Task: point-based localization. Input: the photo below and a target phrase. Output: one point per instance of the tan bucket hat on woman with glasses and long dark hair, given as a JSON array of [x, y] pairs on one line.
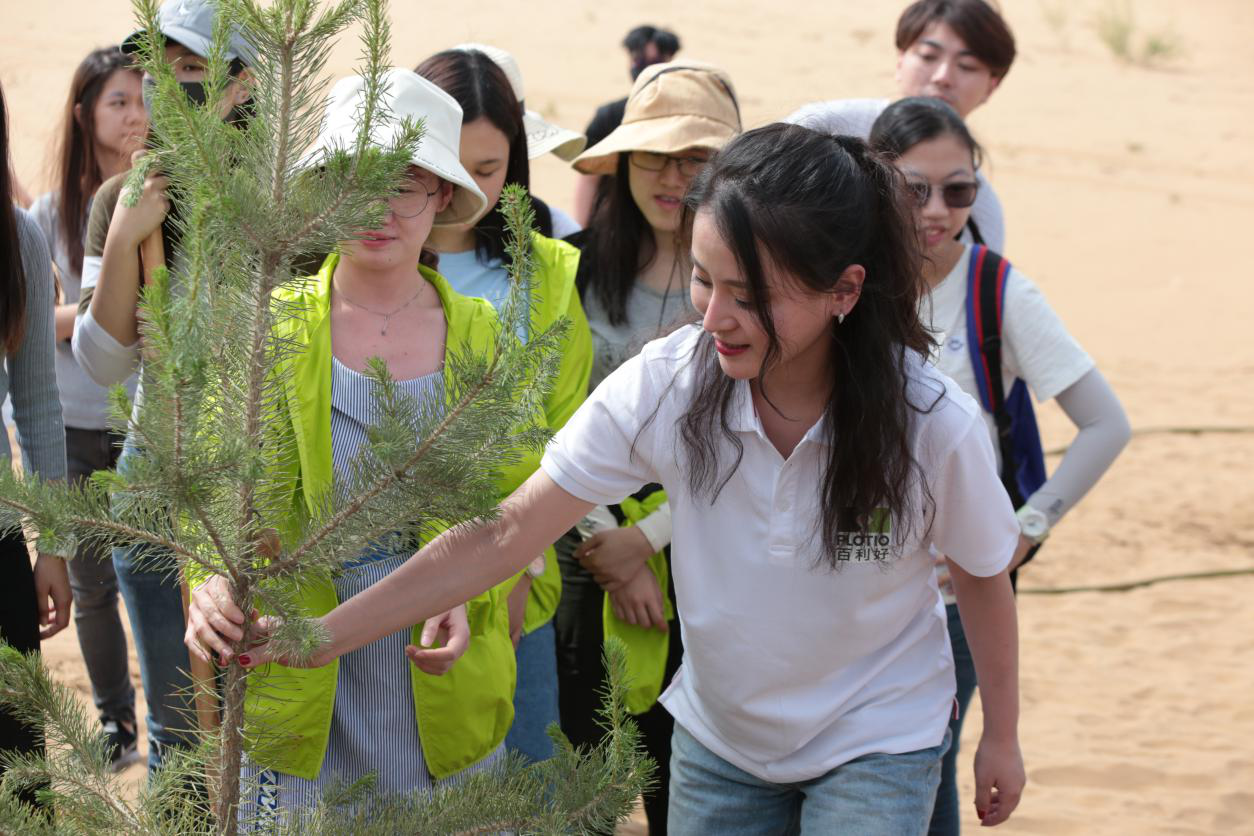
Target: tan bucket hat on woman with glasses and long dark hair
[[673, 107]]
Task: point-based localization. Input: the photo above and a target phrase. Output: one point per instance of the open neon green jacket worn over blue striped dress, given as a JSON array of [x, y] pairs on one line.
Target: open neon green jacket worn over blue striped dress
[[463, 715]]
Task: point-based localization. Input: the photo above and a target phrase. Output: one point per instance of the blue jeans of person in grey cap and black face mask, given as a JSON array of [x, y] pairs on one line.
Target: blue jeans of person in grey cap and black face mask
[[150, 587]]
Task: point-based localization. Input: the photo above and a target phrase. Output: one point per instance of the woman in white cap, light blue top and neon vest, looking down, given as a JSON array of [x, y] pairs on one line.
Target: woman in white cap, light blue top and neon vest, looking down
[[496, 147]]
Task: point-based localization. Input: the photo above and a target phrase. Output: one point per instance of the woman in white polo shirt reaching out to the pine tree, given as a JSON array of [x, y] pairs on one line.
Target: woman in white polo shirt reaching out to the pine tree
[[812, 458]]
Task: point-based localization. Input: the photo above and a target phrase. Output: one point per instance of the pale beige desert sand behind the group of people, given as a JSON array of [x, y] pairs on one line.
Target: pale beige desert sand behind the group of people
[[1129, 195]]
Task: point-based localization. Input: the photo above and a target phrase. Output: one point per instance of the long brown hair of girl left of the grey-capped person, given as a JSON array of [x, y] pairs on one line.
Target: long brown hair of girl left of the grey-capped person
[[78, 172]]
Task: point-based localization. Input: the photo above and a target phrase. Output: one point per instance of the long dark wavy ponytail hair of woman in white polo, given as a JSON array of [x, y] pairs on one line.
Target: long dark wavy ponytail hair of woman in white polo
[[809, 206]]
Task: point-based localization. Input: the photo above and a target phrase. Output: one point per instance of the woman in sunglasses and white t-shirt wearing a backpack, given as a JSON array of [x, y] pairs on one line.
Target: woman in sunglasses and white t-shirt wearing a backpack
[[940, 160]]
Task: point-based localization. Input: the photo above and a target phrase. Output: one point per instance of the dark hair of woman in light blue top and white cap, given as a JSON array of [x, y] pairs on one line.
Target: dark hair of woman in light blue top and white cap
[[483, 91]]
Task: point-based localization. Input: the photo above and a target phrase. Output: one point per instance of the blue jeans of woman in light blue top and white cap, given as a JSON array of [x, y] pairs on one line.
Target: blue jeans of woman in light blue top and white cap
[[535, 695]]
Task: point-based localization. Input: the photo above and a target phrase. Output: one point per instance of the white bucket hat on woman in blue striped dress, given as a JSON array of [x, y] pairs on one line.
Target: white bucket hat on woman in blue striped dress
[[406, 95]]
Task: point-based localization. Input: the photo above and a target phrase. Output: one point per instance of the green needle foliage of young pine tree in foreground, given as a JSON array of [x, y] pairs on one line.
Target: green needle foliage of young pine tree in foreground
[[210, 486]]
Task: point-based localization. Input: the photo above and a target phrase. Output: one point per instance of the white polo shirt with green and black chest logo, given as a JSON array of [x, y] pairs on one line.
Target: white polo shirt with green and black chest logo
[[792, 669]]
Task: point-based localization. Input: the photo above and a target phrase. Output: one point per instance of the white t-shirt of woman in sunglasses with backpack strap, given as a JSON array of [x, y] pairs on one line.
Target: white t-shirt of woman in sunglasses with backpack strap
[[1036, 347]]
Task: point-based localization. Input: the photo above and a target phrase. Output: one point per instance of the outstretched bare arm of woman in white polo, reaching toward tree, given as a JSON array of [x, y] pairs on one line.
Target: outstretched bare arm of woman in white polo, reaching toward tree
[[457, 566]]
